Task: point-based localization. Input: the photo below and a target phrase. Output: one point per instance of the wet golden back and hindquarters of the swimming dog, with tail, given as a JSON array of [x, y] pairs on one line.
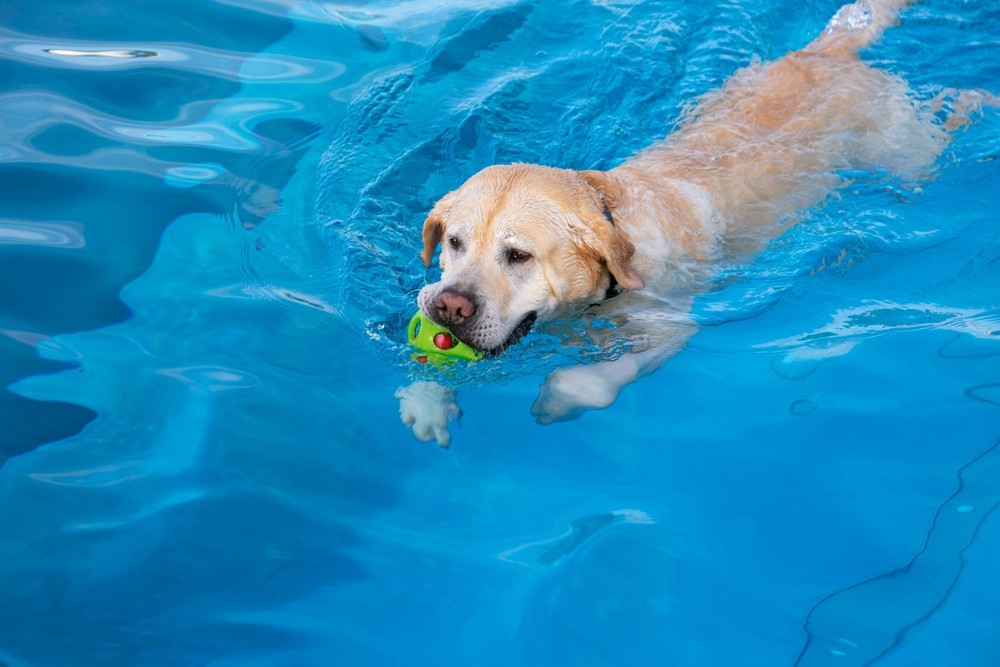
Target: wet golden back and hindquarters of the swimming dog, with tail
[[770, 143]]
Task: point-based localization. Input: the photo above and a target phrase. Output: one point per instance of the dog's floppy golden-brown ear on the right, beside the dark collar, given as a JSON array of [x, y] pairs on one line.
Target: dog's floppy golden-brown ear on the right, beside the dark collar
[[609, 242]]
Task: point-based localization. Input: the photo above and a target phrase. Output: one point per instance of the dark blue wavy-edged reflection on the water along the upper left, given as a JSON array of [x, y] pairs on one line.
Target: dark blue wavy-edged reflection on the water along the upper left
[[88, 88]]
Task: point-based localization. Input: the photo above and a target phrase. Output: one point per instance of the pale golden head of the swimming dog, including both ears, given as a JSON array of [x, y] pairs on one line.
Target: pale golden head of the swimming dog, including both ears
[[519, 242]]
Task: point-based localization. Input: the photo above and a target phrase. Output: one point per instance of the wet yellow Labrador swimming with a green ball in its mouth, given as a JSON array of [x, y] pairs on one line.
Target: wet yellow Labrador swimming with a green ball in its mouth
[[526, 243]]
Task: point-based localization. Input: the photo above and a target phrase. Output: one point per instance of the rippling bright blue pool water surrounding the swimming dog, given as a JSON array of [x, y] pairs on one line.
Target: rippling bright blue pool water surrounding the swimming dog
[[208, 250]]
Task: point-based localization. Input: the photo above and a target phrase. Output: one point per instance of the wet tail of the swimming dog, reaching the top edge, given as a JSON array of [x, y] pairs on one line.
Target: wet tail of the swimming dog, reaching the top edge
[[856, 26]]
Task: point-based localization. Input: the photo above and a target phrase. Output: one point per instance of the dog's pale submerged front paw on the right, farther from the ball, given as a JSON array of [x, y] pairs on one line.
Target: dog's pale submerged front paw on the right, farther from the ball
[[567, 393]]
